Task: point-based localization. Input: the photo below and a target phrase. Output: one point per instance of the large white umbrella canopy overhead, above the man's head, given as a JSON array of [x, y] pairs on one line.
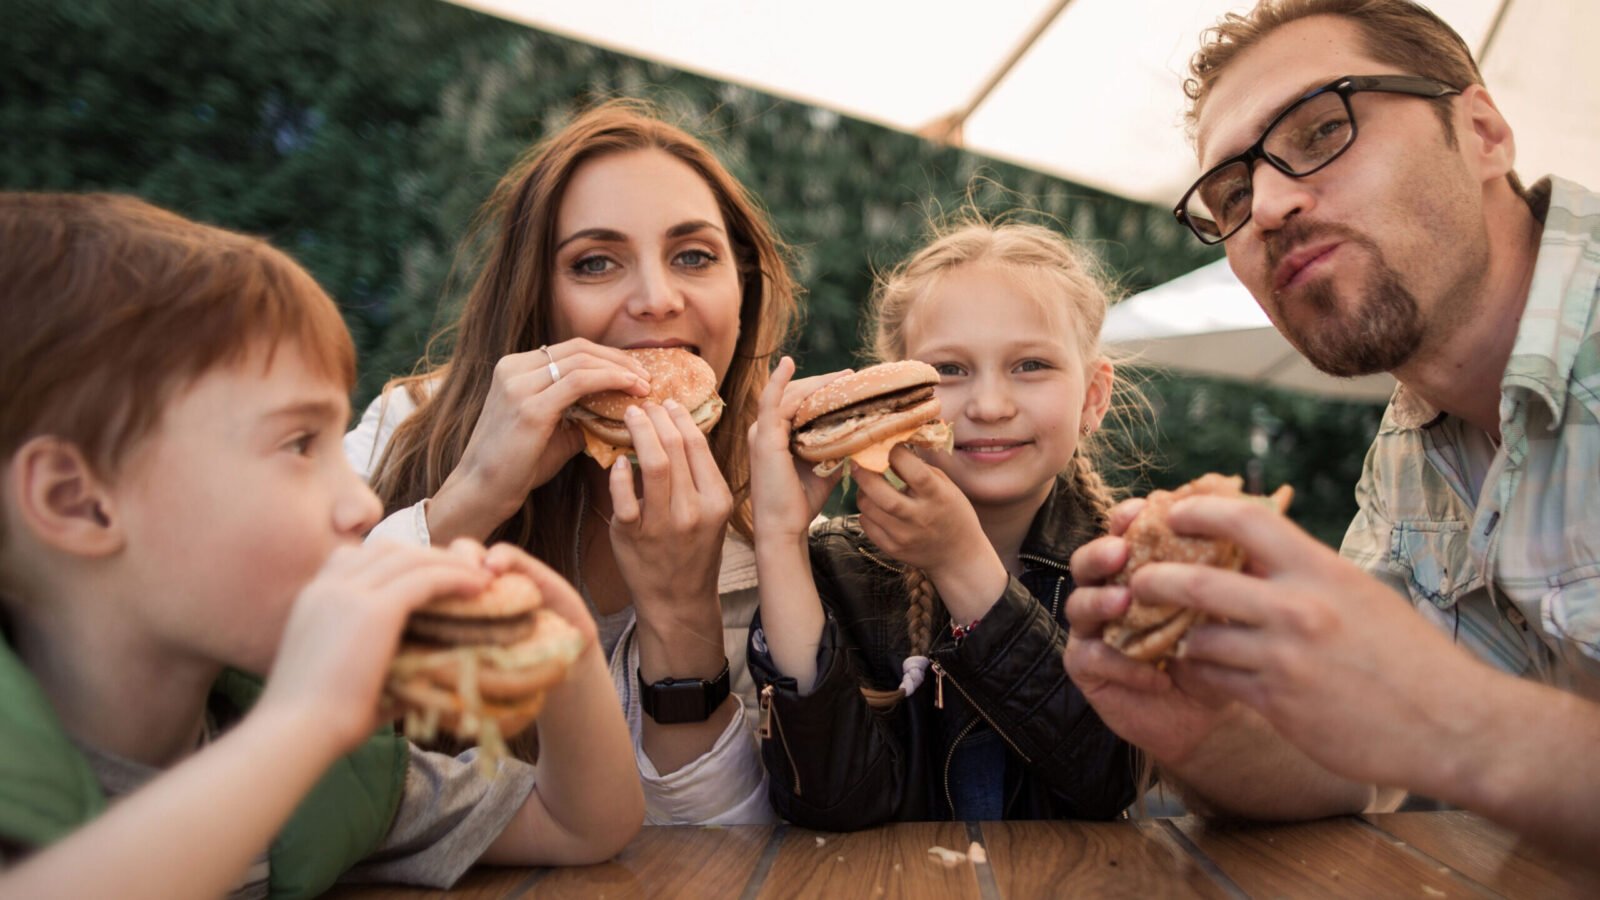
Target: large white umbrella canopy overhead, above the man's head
[[1082, 89]]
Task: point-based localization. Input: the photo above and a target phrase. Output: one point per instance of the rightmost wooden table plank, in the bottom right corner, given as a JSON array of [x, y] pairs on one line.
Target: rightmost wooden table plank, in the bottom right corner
[[1489, 854]]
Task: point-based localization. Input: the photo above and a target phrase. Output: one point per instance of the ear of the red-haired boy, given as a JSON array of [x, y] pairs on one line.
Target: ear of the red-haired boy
[[62, 500]]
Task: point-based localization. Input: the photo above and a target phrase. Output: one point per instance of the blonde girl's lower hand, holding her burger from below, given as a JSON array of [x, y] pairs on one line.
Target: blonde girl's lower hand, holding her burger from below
[[932, 526]]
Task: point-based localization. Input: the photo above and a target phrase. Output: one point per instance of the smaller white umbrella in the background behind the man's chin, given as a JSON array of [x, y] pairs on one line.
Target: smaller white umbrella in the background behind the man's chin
[[1209, 324]]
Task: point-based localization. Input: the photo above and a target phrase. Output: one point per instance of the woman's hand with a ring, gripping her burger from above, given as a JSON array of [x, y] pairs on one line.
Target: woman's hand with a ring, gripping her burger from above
[[522, 438]]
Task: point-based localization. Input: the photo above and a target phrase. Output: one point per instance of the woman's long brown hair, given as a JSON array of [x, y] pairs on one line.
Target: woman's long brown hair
[[510, 305]]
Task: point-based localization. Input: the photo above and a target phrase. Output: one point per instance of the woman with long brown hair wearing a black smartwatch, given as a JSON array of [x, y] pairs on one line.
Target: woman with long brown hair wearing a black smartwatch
[[620, 231]]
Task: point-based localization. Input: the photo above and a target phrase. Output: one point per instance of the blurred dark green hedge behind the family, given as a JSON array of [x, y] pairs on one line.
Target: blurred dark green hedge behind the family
[[362, 139]]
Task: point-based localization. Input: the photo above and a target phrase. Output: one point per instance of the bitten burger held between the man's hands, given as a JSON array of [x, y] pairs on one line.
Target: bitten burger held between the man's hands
[[1151, 632]]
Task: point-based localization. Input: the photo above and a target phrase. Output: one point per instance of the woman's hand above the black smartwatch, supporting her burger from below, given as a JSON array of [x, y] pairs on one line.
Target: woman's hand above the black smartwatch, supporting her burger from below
[[668, 537]]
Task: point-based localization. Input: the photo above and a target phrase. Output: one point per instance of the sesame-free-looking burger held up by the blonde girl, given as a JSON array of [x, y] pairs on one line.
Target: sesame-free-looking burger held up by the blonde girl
[[863, 416]]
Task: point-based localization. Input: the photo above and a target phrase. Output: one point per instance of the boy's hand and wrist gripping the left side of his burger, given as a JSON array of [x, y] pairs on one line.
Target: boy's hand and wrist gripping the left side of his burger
[[345, 630]]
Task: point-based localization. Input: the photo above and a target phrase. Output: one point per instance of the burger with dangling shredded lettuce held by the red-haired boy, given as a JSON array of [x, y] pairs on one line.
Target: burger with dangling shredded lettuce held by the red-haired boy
[[479, 667]]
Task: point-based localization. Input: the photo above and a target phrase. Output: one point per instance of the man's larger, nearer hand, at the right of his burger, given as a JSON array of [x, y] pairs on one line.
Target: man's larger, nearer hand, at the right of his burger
[[1340, 665]]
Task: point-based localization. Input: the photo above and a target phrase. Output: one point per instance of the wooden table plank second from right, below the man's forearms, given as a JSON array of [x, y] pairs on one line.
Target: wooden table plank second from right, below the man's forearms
[[1334, 858]]
